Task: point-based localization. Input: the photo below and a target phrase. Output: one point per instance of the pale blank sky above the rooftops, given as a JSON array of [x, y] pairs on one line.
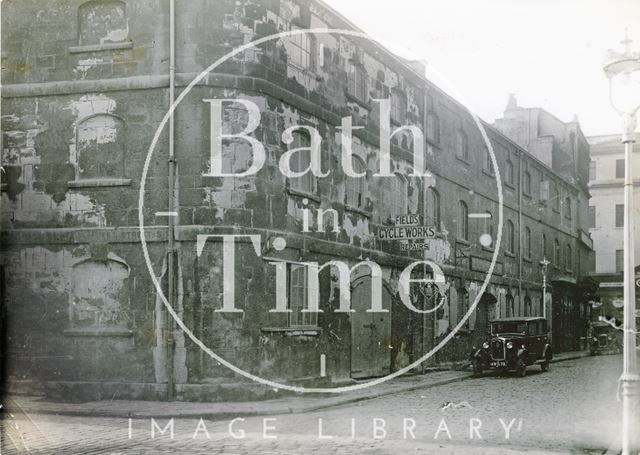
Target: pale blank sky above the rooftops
[[549, 53]]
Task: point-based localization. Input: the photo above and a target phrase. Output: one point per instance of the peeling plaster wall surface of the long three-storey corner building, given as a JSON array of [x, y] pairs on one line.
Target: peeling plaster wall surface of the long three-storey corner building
[[53, 87]]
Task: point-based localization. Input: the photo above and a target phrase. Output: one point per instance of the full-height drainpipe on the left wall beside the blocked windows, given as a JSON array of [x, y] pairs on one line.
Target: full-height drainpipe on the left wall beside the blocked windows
[[171, 219]]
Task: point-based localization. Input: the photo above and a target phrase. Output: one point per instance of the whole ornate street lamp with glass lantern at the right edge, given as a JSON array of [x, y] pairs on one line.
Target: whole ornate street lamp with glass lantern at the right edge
[[623, 71]]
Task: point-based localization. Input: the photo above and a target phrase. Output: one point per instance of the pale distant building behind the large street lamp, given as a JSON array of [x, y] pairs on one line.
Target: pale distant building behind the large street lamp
[[606, 218]]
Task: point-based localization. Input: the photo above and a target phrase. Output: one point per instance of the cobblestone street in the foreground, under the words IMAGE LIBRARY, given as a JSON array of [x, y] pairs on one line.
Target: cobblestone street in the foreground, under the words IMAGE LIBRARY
[[570, 409]]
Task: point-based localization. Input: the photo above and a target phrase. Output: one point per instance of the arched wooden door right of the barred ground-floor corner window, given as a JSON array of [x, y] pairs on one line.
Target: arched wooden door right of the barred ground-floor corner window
[[370, 333]]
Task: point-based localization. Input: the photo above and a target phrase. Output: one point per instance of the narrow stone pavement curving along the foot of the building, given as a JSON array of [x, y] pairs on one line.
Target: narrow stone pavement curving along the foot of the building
[[219, 411]]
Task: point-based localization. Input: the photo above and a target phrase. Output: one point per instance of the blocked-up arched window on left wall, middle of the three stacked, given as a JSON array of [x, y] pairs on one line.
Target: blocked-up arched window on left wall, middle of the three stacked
[[100, 148]]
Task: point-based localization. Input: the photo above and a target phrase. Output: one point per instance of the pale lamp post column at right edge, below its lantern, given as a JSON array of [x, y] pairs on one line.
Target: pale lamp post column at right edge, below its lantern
[[629, 380]]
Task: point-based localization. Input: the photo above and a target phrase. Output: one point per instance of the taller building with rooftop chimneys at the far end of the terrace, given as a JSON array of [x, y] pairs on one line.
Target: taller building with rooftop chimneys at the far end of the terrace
[[562, 147]]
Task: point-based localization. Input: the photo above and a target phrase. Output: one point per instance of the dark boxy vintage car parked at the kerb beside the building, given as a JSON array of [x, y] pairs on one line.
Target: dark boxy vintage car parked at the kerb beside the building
[[514, 344]]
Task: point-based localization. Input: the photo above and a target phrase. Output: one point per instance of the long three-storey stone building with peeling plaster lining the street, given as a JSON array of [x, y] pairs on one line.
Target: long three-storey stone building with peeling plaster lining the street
[[85, 87]]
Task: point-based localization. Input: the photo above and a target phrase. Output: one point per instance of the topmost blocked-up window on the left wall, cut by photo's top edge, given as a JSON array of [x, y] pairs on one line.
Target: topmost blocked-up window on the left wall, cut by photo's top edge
[[102, 22]]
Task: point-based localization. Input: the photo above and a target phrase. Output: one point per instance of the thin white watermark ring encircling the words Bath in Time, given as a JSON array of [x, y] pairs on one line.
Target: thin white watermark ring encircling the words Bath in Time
[[196, 340]]
